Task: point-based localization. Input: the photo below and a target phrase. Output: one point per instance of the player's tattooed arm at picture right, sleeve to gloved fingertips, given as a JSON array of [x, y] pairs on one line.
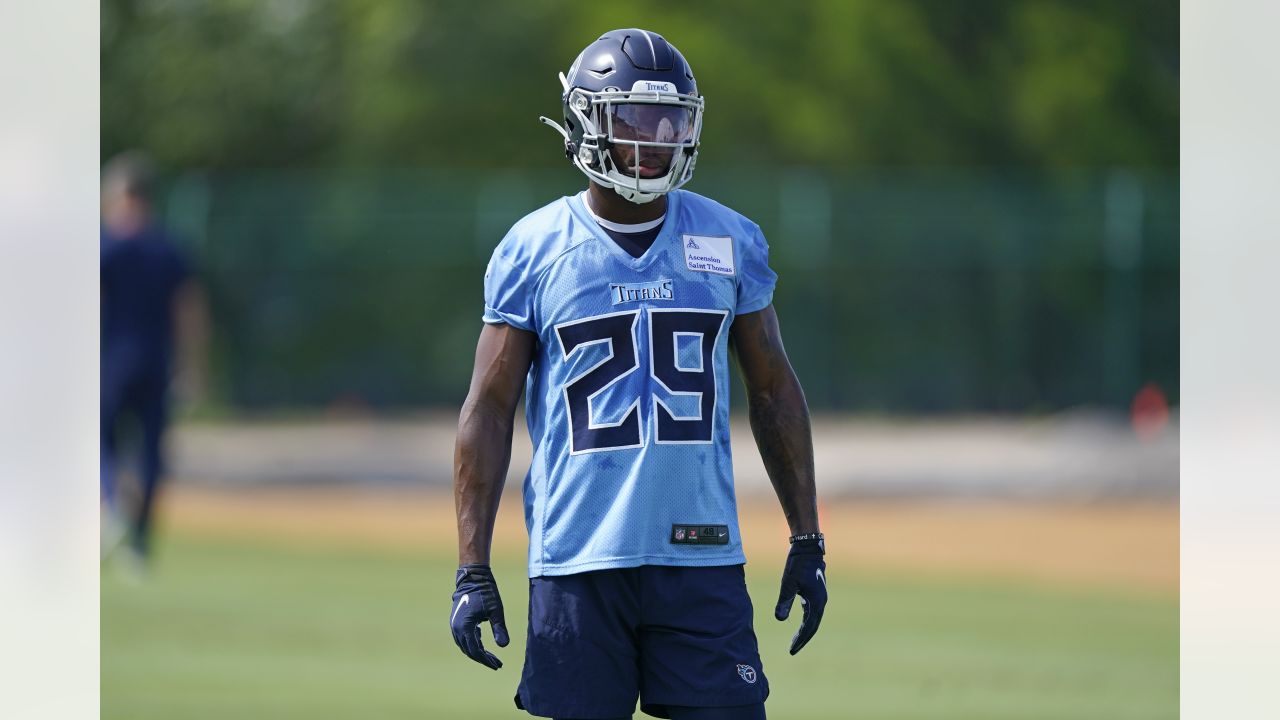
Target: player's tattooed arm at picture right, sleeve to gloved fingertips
[[780, 422]]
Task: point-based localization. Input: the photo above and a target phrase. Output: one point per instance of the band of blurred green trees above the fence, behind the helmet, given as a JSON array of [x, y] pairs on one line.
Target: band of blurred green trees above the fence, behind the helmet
[[838, 84]]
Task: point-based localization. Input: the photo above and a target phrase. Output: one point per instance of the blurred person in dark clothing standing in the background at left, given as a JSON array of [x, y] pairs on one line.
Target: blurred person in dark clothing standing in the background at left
[[145, 294]]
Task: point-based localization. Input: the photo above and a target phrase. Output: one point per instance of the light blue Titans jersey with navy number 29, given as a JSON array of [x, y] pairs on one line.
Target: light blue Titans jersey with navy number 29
[[628, 397]]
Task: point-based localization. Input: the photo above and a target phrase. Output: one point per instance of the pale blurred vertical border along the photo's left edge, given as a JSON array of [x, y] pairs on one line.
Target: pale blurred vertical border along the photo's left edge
[[49, 385]]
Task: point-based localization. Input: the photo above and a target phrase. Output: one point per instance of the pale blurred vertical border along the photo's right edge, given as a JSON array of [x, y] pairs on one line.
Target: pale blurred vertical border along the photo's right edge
[[1231, 359]]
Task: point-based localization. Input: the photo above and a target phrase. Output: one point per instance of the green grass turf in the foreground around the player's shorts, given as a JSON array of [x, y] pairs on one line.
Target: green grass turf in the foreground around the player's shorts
[[278, 631]]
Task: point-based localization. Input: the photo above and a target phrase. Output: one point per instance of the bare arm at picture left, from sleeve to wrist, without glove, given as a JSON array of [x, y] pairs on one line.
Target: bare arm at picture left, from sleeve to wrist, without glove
[[483, 450]]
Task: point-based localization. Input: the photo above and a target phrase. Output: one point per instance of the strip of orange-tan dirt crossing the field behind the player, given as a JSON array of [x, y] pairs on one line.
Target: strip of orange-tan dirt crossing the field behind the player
[[1123, 545]]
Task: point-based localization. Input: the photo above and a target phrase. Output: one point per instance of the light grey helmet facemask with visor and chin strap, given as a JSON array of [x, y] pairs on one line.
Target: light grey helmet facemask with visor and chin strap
[[641, 143]]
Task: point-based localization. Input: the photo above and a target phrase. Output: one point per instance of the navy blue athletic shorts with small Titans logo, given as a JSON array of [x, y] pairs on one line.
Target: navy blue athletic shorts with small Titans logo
[[671, 636]]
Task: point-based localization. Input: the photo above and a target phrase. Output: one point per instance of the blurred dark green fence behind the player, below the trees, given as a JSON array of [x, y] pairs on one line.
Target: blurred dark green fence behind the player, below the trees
[[935, 291]]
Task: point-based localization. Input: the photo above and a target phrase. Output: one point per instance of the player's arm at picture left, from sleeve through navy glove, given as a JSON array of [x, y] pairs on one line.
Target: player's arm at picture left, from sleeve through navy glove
[[481, 461]]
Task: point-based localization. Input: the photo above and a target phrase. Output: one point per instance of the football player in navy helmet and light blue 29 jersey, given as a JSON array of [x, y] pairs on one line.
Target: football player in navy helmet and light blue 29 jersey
[[615, 312]]
